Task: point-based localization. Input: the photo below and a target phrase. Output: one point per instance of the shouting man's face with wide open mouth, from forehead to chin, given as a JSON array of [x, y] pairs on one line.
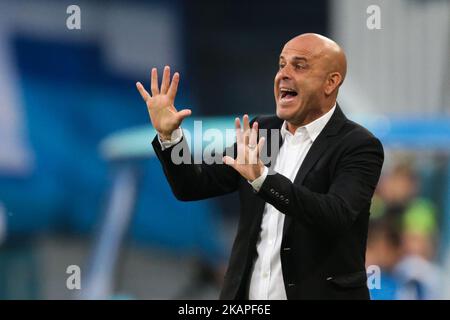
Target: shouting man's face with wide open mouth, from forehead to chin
[[298, 85]]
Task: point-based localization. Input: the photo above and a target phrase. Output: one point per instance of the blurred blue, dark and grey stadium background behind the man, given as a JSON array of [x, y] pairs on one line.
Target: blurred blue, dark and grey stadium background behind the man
[[79, 184]]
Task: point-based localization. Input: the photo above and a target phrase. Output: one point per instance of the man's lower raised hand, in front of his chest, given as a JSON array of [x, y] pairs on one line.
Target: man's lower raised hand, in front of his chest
[[247, 162]]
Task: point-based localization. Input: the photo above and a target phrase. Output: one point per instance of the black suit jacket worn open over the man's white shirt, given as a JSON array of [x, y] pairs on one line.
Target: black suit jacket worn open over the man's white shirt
[[326, 207]]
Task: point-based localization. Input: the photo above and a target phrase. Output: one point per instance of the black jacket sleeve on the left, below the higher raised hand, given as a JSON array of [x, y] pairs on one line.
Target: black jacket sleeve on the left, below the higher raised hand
[[190, 181]]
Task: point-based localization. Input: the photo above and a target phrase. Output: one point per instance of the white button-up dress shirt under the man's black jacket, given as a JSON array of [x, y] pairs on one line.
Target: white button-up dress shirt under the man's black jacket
[[266, 282]]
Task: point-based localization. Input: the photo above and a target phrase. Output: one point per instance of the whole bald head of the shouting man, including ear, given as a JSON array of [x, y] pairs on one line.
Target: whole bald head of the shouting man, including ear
[[311, 69]]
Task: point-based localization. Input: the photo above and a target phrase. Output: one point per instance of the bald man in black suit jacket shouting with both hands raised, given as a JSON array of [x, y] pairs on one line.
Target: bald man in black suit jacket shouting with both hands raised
[[304, 216]]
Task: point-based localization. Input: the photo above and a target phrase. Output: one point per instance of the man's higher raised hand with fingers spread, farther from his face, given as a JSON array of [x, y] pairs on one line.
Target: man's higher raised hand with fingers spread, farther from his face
[[160, 105]]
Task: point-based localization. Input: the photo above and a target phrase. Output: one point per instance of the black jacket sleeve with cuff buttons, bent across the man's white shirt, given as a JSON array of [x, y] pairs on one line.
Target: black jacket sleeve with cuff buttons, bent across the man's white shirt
[[350, 192]]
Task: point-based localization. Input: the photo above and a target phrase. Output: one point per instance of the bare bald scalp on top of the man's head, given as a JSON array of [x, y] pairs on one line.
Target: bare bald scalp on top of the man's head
[[329, 53]]
